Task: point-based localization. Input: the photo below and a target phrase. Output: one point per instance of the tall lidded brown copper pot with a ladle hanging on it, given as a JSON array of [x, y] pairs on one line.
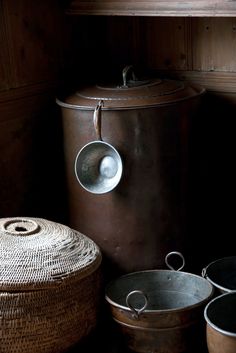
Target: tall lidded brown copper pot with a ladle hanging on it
[[148, 122]]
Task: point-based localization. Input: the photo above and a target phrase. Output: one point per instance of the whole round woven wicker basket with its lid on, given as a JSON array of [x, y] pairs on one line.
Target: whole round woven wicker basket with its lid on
[[50, 283]]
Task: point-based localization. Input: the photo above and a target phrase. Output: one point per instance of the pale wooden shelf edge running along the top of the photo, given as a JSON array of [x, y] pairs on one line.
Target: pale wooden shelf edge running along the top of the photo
[[220, 8]]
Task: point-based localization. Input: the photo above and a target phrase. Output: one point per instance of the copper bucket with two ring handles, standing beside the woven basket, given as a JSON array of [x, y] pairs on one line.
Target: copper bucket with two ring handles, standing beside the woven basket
[[160, 310]]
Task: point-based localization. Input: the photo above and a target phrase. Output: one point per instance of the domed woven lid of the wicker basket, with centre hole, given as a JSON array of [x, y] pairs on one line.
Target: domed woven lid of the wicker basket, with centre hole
[[36, 253]]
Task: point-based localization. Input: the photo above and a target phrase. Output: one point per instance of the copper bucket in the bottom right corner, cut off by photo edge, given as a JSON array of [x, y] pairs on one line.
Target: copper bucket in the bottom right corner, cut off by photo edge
[[220, 314]]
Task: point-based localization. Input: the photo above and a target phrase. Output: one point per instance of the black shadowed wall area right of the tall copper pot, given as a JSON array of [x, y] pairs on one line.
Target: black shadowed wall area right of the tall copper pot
[[213, 182]]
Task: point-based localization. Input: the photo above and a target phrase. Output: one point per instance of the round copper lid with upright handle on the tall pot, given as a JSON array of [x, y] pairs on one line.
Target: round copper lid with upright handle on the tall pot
[[132, 93]]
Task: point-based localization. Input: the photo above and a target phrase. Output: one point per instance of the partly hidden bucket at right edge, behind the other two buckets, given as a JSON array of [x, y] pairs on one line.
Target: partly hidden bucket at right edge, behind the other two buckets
[[222, 274]]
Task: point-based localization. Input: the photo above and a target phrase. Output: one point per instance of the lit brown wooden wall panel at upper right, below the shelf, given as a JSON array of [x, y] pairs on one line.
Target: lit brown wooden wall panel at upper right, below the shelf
[[214, 44]]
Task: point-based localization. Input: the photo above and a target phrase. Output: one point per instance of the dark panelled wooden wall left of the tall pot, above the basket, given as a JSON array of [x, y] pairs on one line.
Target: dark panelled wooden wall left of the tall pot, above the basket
[[33, 59]]
